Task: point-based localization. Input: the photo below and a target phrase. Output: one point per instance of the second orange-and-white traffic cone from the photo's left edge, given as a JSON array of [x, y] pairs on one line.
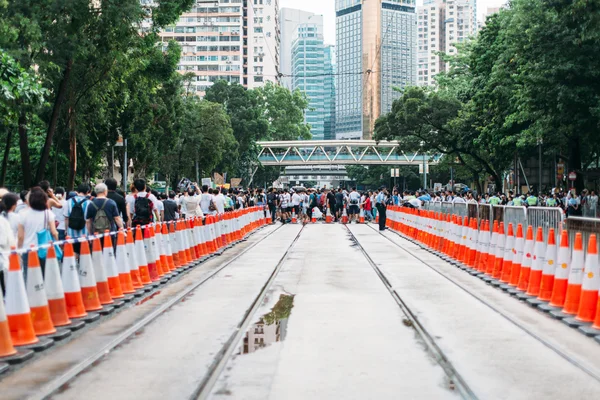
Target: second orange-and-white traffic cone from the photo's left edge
[[17, 307]]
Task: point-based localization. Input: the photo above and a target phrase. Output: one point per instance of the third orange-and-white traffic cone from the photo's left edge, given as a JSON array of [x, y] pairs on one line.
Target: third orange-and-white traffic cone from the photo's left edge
[[38, 302]]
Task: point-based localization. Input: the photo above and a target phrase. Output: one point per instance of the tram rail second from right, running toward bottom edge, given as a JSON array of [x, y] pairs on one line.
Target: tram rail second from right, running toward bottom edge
[[460, 384]]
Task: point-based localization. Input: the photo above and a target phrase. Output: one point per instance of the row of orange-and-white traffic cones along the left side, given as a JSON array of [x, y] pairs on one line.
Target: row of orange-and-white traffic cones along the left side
[[49, 308]]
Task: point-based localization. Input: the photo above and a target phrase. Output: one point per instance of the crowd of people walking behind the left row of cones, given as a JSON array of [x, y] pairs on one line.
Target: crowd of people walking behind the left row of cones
[[43, 214]]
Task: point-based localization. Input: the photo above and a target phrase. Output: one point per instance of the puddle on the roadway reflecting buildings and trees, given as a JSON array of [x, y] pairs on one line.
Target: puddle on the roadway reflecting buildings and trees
[[270, 328]]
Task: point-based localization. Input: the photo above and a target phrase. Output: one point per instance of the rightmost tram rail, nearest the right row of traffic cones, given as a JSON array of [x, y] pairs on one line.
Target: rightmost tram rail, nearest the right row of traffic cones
[[529, 332]]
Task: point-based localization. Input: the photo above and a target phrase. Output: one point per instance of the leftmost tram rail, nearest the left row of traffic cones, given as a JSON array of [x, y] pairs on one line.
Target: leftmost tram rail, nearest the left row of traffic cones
[[63, 379]]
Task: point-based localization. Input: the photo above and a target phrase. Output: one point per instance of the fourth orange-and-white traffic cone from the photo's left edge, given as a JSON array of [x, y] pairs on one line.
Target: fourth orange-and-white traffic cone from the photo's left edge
[[55, 291]]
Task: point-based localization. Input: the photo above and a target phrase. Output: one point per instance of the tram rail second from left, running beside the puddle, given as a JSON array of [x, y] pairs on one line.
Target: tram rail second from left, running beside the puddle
[[204, 389]]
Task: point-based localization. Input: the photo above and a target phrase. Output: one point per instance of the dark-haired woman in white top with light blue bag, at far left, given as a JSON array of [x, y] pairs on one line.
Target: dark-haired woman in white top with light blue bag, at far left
[[33, 220]]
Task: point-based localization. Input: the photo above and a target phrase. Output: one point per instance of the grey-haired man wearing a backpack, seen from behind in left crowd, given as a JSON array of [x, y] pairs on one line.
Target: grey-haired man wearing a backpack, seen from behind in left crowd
[[103, 213]]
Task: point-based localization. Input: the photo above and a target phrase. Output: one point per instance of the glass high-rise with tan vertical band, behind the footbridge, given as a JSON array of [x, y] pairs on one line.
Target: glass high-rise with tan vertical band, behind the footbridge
[[376, 52]]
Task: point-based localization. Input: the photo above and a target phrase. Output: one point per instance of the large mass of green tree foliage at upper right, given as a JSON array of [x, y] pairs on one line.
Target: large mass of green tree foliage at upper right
[[530, 76]]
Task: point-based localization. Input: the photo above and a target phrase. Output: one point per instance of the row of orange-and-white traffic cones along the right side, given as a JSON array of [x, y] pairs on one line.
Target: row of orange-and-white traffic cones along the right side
[[558, 280]]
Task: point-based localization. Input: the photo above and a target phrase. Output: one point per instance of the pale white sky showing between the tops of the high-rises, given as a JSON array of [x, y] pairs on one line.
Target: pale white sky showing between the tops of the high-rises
[[327, 8]]
